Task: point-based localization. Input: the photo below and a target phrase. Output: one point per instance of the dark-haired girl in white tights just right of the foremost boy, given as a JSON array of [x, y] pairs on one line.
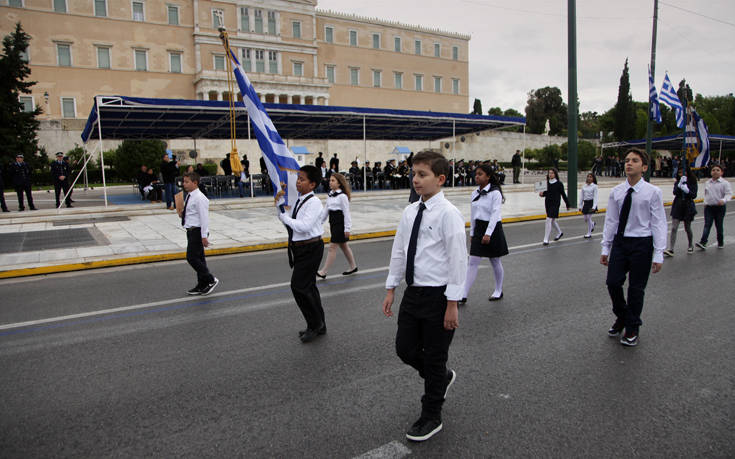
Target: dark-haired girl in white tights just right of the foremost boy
[[486, 230]]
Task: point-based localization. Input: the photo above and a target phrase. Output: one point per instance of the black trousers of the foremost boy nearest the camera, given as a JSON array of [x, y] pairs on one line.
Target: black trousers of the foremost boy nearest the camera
[[423, 343]]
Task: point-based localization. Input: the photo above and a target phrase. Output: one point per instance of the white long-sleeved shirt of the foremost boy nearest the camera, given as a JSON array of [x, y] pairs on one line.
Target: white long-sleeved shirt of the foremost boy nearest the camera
[[441, 248]]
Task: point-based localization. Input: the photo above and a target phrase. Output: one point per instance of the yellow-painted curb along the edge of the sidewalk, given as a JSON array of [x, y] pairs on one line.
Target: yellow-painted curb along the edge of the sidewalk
[[54, 269]]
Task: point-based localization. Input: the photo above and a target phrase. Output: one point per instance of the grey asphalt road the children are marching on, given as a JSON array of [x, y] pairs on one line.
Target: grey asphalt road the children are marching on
[[119, 363]]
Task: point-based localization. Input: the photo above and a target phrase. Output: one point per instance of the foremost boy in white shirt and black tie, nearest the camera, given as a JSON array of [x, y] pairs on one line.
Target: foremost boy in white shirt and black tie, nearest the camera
[[430, 251]]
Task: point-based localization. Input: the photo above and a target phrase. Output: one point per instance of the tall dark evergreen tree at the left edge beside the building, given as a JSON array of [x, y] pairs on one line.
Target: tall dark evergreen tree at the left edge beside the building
[[17, 128]]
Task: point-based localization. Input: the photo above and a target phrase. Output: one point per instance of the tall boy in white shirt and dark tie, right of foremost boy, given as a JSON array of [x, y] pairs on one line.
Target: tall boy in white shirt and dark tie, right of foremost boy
[[633, 242]]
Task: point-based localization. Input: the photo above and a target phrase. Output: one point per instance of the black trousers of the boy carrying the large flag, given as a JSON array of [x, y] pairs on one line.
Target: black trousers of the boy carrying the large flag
[[306, 260]]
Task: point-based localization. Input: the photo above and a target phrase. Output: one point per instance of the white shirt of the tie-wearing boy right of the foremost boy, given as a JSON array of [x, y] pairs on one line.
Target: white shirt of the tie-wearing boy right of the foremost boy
[[647, 217]]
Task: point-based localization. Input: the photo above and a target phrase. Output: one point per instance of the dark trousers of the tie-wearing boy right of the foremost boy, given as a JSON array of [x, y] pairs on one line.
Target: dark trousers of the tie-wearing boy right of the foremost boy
[[633, 256]]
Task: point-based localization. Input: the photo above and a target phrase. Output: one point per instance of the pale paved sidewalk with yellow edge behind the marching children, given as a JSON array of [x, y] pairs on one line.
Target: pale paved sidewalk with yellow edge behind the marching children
[[81, 238]]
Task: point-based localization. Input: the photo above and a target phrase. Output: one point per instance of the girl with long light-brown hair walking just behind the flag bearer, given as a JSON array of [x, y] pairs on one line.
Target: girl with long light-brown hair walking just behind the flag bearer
[[340, 223]]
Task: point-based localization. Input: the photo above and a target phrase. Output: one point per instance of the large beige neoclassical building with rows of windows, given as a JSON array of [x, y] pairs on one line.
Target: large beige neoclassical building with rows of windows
[[293, 53]]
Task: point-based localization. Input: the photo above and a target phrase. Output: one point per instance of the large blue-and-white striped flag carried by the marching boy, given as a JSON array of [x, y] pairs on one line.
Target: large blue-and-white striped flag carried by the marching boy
[[279, 160]]
